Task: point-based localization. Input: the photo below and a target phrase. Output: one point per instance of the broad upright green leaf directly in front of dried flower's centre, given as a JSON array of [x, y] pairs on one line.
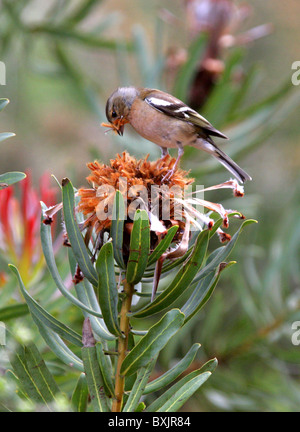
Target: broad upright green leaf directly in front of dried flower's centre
[[139, 247]]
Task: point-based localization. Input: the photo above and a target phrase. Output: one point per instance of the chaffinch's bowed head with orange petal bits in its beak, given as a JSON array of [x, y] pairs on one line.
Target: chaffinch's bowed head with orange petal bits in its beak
[[118, 107]]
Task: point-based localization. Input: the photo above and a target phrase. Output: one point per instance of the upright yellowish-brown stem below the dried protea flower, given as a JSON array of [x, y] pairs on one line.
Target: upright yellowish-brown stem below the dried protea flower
[[122, 346]]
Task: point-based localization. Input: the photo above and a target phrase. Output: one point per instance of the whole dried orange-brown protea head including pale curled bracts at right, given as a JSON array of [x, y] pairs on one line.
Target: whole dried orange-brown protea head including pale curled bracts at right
[[142, 187]]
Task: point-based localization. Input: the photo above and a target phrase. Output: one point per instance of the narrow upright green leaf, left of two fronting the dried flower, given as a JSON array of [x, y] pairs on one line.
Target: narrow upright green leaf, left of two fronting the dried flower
[[117, 227]]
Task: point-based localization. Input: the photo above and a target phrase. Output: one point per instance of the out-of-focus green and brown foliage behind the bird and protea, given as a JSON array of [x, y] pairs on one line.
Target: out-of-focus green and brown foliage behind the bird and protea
[[63, 59]]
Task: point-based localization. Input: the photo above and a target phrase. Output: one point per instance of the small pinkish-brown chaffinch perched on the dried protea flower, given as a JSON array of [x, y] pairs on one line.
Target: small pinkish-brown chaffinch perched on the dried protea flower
[[166, 121]]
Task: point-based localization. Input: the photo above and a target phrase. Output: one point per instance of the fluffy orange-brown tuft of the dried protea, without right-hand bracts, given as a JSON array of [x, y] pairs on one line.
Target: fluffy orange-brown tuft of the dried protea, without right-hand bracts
[[140, 183]]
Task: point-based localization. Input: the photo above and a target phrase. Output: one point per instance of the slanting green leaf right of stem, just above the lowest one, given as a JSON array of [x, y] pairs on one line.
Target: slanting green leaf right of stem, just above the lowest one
[[173, 373]]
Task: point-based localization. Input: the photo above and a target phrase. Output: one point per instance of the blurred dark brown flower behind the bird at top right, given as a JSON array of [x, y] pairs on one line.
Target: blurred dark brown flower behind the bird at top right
[[220, 20]]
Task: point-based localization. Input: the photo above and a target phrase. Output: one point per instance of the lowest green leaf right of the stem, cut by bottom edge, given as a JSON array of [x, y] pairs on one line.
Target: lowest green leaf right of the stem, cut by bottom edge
[[172, 399]]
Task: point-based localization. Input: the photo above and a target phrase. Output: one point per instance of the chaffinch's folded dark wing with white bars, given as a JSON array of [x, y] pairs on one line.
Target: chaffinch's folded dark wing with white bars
[[175, 108]]
